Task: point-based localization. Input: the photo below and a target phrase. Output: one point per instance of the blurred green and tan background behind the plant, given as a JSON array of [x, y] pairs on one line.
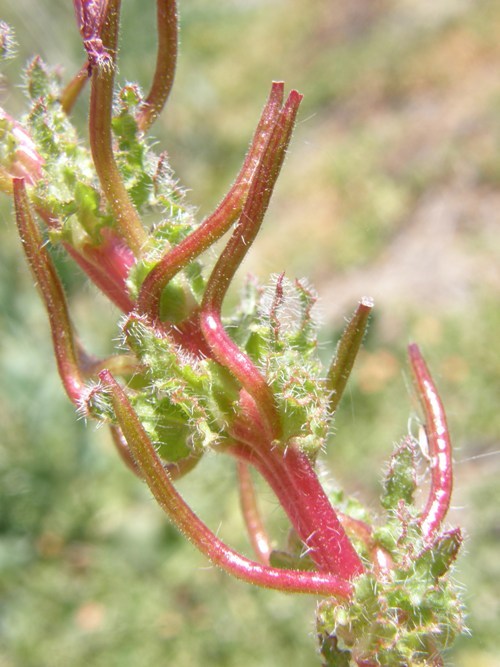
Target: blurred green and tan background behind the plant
[[391, 189]]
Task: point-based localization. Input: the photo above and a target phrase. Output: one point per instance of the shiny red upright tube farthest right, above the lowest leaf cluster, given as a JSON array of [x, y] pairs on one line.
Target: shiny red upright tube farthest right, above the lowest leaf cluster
[[439, 446]]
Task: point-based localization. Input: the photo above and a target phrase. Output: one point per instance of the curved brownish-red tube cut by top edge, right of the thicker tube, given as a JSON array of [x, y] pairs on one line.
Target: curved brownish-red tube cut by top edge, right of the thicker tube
[[166, 60]]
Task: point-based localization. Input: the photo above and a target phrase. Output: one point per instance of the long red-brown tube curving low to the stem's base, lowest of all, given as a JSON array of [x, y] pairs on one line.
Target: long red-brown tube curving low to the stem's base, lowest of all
[[195, 530]]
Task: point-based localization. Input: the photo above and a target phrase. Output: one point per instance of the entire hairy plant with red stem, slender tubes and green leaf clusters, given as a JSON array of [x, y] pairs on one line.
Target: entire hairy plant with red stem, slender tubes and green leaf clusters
[[249, 385]]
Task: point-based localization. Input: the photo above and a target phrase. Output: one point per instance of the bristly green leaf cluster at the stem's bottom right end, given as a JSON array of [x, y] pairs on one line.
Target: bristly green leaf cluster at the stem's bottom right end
[[411, 611]]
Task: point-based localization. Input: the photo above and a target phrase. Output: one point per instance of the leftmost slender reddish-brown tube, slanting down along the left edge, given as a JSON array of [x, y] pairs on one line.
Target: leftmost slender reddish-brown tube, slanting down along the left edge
[[52, 295]]
